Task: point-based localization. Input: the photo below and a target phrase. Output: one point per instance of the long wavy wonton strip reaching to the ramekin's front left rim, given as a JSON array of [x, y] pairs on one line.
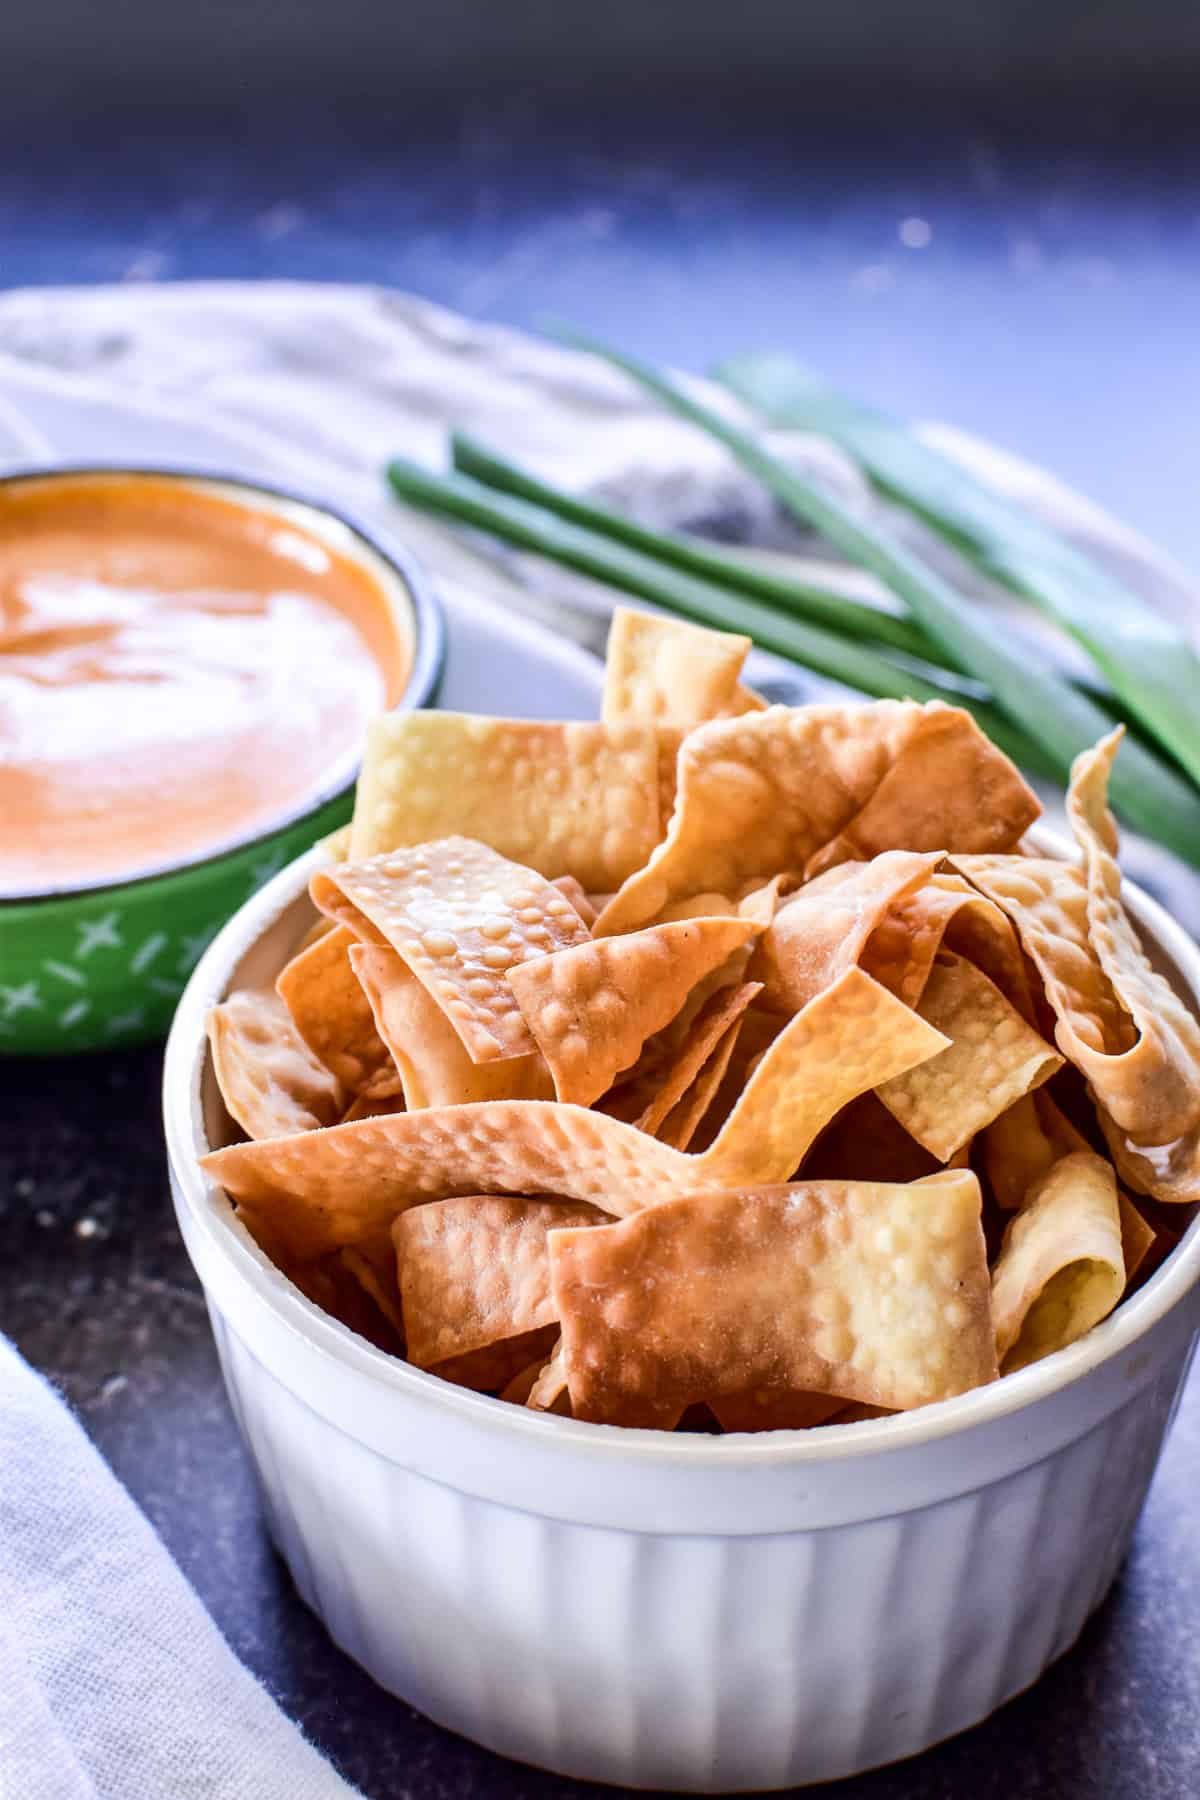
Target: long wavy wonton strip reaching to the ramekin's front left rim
[[319, 1191]]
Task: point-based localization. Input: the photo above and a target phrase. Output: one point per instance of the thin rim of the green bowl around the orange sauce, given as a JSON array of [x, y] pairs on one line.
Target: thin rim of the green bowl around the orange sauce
[[429, 651]]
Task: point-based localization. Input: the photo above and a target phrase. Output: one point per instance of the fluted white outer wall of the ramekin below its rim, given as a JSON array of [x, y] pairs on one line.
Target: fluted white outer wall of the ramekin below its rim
[[706, 1664]]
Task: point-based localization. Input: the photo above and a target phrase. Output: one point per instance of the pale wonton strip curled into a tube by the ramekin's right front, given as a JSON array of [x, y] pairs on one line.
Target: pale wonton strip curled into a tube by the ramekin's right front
[[1061, 1266]]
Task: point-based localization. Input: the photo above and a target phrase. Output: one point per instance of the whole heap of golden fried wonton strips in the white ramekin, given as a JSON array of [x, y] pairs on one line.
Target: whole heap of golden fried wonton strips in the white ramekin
[[713, 1063]]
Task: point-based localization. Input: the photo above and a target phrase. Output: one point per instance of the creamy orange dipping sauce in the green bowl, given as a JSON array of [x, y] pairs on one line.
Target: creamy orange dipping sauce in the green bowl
[[183, 665]]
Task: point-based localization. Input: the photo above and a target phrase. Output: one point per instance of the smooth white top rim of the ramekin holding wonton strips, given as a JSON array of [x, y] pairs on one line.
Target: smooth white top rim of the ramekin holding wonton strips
[[211, 1212]]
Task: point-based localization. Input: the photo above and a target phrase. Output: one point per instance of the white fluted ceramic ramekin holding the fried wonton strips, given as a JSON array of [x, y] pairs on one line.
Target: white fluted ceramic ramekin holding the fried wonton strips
[[659, 1610]]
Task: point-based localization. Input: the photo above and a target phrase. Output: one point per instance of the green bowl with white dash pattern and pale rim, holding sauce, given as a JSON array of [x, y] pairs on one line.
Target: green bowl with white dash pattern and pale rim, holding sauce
[[103, 967]]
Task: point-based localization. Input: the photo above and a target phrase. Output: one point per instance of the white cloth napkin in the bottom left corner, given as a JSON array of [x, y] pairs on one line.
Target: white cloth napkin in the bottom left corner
[[114, 1680]]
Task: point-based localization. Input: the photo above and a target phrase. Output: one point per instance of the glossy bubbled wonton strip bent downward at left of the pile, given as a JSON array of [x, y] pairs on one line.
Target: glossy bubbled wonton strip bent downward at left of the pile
[[461, 917]]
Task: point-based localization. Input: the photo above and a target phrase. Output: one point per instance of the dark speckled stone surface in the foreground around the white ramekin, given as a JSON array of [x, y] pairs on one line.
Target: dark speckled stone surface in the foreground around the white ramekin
[[96, 1290]]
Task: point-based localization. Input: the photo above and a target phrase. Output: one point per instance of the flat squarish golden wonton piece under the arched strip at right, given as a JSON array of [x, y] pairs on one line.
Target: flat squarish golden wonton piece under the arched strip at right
[[992, 1059]]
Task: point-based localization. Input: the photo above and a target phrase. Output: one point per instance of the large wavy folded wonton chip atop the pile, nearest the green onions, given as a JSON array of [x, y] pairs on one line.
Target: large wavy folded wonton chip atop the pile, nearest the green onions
[[766, 793]]
